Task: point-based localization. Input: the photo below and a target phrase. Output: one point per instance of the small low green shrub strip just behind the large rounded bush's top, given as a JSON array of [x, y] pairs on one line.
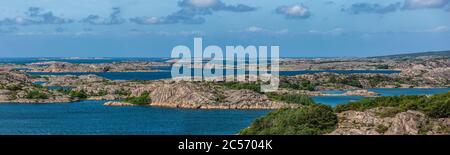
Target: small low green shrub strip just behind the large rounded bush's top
[[291, 98]]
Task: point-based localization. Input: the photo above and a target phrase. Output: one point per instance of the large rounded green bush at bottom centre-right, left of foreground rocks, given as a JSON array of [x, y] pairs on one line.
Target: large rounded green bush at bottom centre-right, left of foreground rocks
[[308, 120]]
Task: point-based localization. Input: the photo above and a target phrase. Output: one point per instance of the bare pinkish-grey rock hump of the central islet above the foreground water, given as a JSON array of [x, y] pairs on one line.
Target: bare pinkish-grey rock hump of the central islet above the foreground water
[[205, 96]]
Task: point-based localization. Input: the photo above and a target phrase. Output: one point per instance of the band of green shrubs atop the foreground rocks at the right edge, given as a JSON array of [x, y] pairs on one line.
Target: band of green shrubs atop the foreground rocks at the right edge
[[436, 106]]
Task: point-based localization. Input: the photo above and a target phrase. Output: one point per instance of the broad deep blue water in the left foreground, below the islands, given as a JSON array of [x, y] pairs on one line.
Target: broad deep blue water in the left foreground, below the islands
[[91, 117]]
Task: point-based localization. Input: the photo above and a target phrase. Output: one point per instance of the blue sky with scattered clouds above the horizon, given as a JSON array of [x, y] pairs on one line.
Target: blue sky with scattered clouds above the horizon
[[144, 28]]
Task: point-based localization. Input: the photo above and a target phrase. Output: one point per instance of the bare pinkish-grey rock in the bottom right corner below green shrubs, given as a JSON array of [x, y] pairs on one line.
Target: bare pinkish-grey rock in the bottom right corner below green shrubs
[[405, 123]]
